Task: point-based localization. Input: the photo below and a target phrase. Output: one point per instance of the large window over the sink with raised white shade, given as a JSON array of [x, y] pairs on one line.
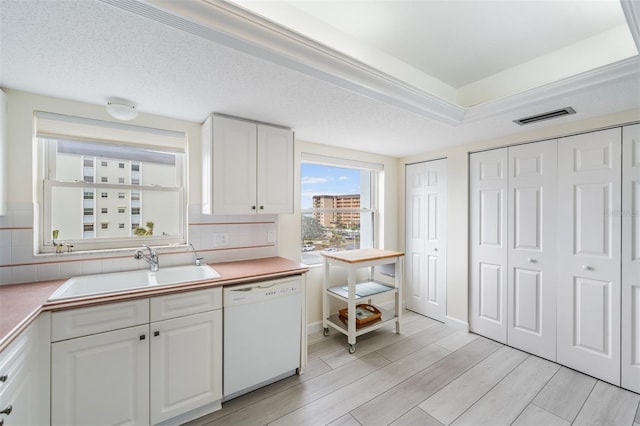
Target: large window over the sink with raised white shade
[[69, 148]]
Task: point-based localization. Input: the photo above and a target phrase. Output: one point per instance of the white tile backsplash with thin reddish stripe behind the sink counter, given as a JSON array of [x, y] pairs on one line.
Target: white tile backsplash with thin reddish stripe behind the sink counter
[[215, 238]]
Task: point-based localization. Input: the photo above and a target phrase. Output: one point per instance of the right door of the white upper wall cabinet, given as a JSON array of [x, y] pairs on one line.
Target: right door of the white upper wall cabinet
[[275, 170]]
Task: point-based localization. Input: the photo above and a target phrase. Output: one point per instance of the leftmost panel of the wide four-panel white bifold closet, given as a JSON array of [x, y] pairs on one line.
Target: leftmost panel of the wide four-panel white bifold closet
[[488, 187]]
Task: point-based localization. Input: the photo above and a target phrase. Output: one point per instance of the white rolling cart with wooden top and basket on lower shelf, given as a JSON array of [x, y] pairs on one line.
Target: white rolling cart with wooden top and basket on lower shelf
[[361, 292]]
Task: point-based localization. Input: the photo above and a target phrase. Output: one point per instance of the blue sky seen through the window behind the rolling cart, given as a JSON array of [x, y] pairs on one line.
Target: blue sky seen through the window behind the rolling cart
[[327, 180]]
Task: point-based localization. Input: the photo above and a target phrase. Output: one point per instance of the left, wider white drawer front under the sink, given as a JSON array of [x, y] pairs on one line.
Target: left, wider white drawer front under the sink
[[98, 319]]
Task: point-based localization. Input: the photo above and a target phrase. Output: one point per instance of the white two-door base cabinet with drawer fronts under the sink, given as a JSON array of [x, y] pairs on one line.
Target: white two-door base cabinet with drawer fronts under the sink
[[160, 372]]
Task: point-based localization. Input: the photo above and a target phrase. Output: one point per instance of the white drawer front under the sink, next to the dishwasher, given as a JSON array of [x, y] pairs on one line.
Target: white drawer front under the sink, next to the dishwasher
[[187, 303]]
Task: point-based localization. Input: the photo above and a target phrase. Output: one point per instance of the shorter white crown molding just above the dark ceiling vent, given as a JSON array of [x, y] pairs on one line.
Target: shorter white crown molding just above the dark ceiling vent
[[589, 80]]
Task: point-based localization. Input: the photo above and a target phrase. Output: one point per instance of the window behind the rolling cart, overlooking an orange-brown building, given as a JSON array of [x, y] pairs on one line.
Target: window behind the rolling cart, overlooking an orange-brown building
[[338, 205]]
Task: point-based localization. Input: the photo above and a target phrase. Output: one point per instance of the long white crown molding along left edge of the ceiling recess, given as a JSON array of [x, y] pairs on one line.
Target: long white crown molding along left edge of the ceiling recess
[[234, 27]]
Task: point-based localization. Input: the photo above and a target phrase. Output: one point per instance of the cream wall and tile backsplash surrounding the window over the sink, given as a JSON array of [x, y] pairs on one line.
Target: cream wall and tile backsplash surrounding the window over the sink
[[248, 239]]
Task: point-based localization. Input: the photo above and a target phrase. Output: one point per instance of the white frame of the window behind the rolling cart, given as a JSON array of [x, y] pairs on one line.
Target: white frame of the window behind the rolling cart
[[371, 171]]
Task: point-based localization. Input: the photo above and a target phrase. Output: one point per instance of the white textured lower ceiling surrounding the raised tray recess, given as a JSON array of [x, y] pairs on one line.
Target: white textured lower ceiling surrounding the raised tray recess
[[87, 50]]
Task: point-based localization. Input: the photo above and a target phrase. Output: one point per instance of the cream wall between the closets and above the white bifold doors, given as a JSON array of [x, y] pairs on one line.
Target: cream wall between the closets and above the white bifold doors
[[458, 196]]
